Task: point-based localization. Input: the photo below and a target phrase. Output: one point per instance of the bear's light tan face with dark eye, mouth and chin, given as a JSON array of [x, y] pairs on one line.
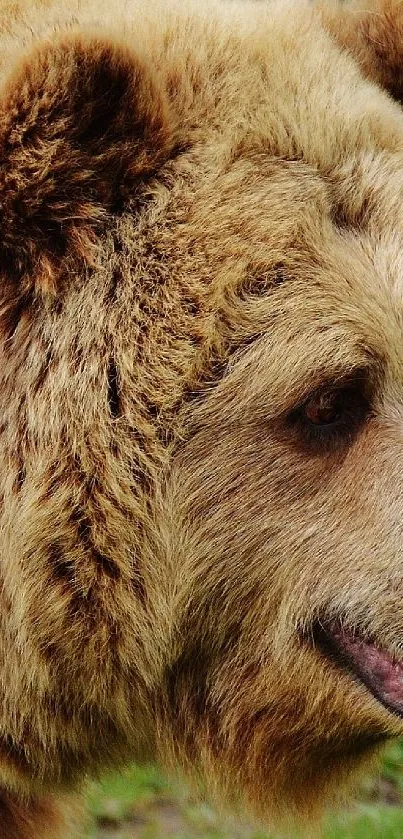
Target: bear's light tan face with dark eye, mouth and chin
[[286, 498]]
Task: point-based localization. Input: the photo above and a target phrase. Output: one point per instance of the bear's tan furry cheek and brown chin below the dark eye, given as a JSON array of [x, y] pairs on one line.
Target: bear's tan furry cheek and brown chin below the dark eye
[[271, 544]]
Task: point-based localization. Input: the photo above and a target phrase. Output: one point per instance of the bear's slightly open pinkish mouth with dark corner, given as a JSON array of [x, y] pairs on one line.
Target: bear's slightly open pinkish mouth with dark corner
[[377, 669]]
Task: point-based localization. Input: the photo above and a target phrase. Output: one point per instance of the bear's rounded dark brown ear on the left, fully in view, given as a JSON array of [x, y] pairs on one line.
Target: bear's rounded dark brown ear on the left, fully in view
[[82, 121]]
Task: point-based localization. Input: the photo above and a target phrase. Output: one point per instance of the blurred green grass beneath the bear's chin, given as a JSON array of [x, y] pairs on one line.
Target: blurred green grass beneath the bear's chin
[[142, 804]]
